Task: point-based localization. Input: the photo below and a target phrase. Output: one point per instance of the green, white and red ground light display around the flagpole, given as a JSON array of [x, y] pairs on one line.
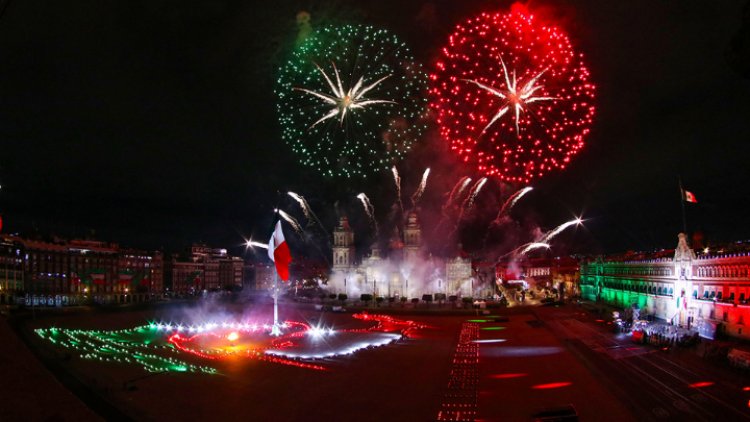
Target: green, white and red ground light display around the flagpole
[[160, 346]]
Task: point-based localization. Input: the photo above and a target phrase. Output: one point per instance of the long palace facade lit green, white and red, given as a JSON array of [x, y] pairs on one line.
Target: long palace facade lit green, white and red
[[699, 291]]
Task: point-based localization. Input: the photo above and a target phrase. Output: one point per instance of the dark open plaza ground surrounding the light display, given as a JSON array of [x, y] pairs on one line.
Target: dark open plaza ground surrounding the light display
[[540, 357]]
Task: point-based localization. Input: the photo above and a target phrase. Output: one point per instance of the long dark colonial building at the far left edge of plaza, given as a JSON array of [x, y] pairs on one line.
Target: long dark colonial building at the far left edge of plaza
[[66, 272]]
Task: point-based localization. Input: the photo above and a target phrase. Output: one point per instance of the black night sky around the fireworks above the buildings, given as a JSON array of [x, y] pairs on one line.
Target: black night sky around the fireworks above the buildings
[[153, 123]]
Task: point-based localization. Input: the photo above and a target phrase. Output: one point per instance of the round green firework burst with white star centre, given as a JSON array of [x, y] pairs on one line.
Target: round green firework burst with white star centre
[[350, 100]]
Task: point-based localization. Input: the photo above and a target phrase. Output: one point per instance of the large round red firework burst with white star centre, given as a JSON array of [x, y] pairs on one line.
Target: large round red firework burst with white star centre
[[513, 98]]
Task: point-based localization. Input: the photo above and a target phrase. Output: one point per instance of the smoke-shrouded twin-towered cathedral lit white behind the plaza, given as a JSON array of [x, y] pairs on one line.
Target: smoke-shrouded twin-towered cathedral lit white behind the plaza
[[406, 271]]
